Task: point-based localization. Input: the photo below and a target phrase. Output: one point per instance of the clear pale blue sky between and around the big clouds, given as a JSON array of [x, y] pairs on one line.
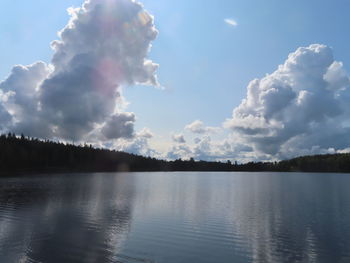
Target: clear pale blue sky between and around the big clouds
[[205, 64]]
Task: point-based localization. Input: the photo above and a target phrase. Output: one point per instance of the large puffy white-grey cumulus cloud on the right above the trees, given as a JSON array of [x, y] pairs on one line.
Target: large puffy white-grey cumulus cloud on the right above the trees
[[300, 108]]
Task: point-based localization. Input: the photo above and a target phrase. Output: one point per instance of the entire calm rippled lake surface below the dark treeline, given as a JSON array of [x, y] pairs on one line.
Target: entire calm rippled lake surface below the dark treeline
[[175, 217]]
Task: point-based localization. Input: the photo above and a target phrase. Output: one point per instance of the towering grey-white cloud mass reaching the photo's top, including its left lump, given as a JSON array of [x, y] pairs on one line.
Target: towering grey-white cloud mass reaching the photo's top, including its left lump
[[103, 48]]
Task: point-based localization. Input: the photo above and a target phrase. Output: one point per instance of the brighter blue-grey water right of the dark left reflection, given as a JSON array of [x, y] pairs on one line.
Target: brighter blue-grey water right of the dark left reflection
[[244, 217]]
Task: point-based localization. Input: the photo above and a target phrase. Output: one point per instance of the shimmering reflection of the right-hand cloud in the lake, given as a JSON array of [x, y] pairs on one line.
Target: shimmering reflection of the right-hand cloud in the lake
[[294, 217]]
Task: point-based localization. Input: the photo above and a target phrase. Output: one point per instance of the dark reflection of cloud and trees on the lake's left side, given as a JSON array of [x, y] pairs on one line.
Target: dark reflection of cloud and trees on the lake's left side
[[64, 219]]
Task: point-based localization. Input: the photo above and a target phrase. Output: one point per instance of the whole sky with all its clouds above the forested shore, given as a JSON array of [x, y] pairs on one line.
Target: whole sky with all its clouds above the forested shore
[[183, 79]]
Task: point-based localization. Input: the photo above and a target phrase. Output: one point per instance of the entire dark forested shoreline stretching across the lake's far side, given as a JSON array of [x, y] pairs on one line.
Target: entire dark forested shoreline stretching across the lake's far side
[[20, 154]]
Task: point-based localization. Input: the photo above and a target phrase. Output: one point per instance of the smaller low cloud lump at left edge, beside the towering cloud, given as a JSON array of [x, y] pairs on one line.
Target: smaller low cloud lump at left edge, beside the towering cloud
[[20, 103]]
